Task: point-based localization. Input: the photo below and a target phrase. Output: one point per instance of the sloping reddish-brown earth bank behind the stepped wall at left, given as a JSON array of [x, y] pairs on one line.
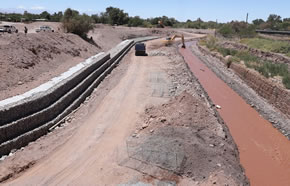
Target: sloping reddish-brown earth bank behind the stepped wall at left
[[24, 58]]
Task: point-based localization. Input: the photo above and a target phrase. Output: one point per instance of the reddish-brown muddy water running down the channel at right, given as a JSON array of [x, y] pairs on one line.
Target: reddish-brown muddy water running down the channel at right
[[264, 151]]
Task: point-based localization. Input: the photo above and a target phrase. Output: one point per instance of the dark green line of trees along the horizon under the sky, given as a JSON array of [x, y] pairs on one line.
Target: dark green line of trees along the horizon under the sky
[[116, 16]]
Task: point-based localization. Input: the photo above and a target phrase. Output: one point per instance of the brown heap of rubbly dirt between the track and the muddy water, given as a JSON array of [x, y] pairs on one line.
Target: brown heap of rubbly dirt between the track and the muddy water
[[184, 137]]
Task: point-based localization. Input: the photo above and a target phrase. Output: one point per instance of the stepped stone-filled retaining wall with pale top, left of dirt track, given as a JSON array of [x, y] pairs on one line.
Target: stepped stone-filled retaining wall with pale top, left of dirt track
[[27, 117]]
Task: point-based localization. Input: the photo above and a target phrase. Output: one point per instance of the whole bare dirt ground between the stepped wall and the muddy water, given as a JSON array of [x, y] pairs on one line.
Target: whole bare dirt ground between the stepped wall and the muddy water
[[94, 146]]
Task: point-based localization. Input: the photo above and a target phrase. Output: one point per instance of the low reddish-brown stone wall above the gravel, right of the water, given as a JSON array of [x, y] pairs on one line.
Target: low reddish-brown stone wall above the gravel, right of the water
[[276, 95]]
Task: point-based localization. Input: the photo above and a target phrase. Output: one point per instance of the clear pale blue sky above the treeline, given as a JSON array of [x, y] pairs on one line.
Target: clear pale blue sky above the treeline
[[222, 10]]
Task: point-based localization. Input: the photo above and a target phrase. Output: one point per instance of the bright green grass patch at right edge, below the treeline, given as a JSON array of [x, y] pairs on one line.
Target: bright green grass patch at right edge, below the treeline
[[268, 45]]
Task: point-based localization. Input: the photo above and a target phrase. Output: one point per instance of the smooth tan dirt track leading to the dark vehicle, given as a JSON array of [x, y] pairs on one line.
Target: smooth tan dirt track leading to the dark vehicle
[[90, 155]]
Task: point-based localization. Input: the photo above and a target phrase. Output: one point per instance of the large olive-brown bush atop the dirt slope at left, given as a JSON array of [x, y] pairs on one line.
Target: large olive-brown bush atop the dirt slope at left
[[78, 24]]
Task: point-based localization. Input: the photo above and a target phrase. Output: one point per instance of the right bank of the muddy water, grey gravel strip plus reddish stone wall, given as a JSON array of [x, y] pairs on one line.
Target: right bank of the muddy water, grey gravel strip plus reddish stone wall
[[254, 88]]
